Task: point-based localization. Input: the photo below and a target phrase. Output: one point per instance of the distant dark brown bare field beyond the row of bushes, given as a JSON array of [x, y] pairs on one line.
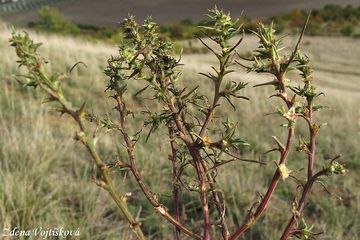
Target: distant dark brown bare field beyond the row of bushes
[[109, 12]]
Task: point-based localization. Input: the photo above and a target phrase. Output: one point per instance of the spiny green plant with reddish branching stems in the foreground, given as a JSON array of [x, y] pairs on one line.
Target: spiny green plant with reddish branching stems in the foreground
[[187, 118]]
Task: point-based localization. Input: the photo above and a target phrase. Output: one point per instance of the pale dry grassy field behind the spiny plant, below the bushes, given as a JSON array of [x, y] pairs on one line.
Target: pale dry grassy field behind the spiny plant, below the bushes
[[46, 175]]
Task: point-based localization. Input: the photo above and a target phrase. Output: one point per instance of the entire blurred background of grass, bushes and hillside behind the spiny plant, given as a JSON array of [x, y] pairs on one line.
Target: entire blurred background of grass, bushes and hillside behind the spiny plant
[[45, 175]]
